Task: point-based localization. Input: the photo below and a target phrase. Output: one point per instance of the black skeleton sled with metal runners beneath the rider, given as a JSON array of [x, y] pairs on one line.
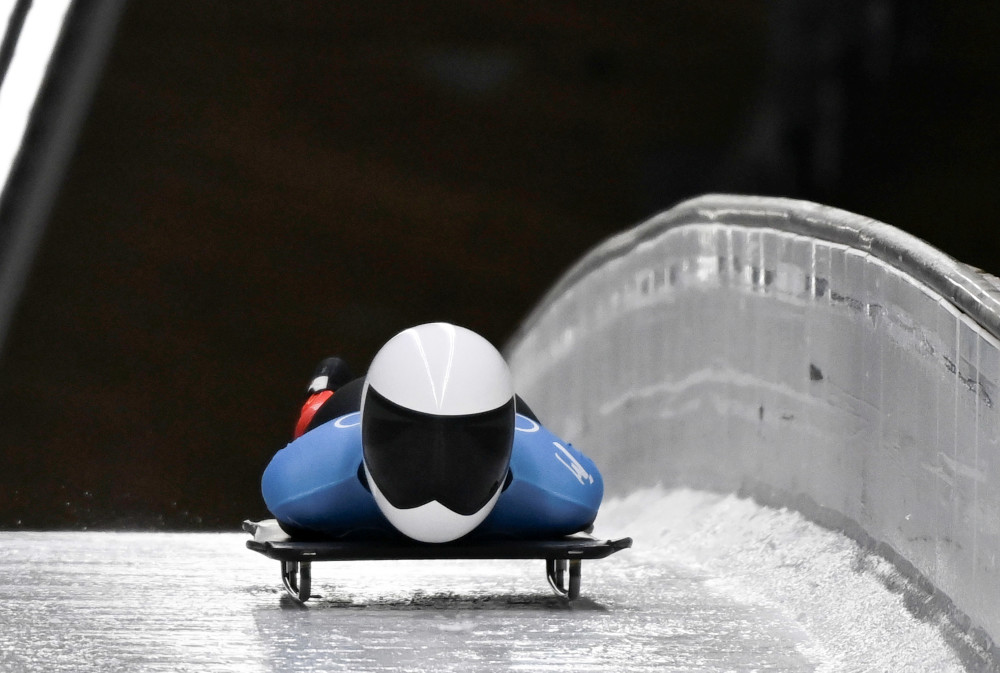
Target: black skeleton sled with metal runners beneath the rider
[[563, 556]]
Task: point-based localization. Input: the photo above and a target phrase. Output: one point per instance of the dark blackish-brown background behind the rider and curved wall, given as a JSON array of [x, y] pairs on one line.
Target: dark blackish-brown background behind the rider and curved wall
[[261, 184]]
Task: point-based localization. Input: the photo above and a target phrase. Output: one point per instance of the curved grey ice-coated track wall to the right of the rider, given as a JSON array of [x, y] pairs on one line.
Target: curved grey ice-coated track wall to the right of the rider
[[803, 355]]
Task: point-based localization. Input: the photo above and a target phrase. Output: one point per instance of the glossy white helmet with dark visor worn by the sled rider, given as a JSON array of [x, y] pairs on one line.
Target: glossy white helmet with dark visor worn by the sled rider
[[437, 427]]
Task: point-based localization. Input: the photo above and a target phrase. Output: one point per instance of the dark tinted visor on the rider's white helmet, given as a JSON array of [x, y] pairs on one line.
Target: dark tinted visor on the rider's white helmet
[[415, 458]]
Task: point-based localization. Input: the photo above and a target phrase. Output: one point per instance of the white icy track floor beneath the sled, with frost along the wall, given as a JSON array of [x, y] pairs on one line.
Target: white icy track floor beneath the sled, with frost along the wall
[[713, 583]]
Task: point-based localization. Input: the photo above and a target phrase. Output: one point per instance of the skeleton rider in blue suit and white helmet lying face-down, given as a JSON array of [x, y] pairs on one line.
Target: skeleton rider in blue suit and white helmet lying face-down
[[433, 444]]
